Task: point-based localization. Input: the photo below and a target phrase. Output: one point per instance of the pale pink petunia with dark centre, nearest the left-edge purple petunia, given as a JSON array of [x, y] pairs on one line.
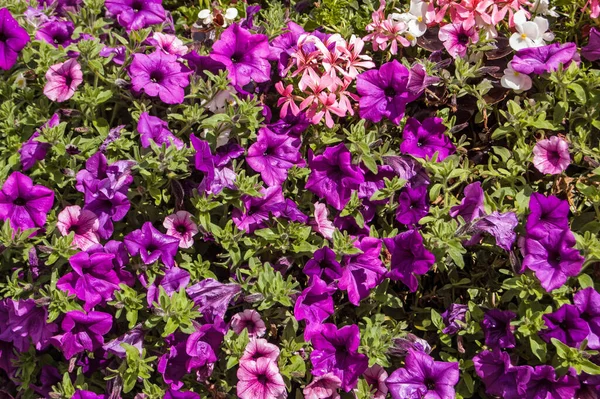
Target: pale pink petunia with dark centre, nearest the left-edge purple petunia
[[83, 223]]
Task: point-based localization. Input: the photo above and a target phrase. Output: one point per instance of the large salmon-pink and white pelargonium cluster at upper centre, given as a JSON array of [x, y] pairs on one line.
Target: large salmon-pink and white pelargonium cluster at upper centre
[[326, 67]]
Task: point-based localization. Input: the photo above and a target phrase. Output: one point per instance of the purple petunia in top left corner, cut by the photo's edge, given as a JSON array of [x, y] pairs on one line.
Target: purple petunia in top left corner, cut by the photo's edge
[[13, 38]]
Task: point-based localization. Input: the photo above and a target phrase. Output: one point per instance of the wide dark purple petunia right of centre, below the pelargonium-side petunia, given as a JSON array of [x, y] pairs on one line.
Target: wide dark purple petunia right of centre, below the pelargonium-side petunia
[[423, 140]]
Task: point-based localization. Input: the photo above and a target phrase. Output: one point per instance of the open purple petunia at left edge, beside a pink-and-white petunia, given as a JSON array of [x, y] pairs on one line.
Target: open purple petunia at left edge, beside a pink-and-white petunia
[[23, 203]]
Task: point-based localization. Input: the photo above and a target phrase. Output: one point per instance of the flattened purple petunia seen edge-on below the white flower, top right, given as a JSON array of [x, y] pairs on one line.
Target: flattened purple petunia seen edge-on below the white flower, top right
[[539, 60]]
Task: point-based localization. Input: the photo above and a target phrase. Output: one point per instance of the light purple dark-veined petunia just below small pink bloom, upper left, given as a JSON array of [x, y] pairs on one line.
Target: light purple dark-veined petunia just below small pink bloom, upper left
[[159, 74]]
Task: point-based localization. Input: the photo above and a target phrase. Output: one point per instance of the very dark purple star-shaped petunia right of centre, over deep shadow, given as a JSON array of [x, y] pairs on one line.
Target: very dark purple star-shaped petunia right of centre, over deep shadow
[[409, 258]]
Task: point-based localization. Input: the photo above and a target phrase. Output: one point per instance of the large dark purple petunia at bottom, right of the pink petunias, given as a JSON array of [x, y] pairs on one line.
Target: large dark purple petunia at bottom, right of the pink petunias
[[336, 351]]
